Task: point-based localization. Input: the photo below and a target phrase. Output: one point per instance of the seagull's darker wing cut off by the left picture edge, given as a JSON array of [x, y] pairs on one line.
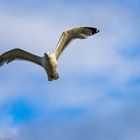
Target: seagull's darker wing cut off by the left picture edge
[[19, 54]]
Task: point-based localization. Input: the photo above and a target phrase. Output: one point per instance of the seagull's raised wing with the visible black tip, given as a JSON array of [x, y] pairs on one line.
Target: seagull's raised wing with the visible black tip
[[74, 33]]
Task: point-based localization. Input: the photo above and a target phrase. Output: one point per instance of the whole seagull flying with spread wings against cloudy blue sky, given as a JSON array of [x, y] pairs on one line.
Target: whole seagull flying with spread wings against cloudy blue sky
[[50, 59]]
